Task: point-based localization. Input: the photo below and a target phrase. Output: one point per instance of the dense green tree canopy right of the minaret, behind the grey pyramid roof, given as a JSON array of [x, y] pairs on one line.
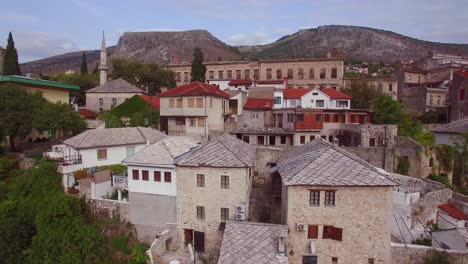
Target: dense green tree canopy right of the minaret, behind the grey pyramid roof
[[143, 75]]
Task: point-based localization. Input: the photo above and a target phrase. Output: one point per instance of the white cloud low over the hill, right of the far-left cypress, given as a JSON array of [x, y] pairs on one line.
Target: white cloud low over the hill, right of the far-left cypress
[[37, 45]]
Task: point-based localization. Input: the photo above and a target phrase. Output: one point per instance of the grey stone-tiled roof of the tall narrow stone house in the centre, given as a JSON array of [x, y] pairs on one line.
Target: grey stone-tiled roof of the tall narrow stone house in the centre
[[224, 151]]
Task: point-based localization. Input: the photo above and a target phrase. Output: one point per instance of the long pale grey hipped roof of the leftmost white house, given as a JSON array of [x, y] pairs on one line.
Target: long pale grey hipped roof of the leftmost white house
[[107, 137]]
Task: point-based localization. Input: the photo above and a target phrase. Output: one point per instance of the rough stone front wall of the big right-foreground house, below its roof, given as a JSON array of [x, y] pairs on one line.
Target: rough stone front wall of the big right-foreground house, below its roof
[[364, 213]]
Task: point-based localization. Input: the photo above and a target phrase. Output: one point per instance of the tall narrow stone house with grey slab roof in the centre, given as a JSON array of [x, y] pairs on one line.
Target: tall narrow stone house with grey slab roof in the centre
[[213, 186]]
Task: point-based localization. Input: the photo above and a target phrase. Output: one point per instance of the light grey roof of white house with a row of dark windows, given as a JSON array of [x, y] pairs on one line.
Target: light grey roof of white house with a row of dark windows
[[163, 152]]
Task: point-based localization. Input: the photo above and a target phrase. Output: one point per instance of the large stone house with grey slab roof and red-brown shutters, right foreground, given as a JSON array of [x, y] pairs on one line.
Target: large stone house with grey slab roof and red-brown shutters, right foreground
[[337, 207]]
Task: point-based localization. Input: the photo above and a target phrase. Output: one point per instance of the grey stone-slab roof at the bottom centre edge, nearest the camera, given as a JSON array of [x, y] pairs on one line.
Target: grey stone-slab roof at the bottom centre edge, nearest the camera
[[251, 243]]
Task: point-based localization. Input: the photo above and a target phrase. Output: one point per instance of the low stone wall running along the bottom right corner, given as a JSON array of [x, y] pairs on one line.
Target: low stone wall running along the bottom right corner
[[415, 254]]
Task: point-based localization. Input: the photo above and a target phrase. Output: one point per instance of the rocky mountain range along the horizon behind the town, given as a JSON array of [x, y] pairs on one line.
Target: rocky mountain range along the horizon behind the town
[[358, 43]]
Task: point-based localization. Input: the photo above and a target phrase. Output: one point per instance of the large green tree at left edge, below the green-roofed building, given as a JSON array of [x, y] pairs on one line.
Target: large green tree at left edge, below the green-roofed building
[[18, 108]]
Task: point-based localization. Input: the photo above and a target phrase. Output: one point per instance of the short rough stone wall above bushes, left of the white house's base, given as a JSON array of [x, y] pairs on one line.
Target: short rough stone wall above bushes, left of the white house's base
[[110, 209]]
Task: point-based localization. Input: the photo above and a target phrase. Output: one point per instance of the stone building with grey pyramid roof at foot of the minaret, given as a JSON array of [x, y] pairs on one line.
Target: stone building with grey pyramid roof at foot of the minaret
[[109, 95]]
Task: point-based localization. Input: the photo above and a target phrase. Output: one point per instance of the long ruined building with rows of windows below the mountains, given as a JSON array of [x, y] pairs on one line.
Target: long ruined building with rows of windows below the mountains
[[301, 73]]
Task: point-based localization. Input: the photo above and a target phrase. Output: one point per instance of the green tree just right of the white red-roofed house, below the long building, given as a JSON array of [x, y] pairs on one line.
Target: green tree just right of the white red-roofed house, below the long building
[[362, 93]]
